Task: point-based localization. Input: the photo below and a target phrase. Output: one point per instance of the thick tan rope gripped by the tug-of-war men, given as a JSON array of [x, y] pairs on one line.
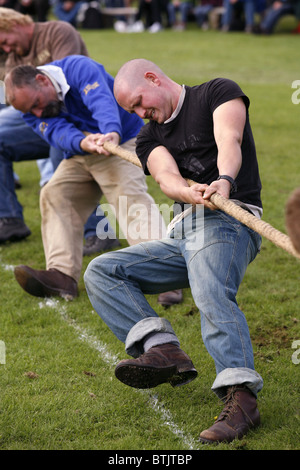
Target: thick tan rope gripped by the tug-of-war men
[[263, 228]]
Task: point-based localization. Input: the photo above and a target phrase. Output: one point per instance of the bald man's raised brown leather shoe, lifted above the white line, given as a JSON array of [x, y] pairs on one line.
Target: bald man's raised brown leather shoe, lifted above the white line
[[160, 364]]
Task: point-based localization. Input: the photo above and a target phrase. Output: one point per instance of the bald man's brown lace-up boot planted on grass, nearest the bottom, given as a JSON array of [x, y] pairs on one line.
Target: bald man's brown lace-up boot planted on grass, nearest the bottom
[[240, 414]]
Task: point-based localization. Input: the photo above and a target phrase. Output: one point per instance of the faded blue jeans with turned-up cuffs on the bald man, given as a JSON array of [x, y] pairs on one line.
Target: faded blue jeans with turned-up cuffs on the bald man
[[209, 252]]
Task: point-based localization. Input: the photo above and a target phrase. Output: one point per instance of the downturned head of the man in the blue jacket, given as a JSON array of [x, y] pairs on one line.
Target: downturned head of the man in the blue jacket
[[40, 100]]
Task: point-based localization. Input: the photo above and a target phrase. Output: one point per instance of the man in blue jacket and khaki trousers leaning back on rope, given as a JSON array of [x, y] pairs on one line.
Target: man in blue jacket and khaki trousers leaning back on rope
[[70, 103]]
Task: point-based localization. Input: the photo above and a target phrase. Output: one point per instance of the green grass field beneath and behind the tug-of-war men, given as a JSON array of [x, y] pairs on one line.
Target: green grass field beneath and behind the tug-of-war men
[[57, 384]]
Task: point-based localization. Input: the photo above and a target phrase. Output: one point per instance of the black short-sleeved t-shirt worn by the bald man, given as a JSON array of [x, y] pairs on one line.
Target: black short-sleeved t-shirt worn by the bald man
[[190, 139]]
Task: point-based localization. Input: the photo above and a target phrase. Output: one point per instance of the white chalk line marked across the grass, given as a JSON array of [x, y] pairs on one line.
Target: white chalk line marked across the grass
[[112, 360]]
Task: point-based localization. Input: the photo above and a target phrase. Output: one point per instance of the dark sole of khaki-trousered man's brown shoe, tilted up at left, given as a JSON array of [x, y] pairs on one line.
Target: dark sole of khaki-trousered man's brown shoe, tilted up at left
[[36, 288]]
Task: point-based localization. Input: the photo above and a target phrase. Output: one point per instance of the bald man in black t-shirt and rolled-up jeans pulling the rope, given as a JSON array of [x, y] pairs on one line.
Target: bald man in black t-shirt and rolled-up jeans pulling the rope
[[201, 133]]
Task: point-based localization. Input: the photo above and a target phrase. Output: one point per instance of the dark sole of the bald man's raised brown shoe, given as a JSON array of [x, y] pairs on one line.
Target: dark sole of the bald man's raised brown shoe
[[149, 377]]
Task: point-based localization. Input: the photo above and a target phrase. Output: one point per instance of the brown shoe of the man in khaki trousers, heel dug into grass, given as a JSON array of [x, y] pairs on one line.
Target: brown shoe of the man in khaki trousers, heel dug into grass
[[46, 283]]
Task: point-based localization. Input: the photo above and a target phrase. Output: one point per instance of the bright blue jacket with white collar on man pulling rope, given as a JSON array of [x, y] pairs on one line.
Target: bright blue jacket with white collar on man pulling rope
[[90, 106]]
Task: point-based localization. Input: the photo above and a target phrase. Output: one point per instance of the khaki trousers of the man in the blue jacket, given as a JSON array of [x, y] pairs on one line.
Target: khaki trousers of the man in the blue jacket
[[75, 190]]
